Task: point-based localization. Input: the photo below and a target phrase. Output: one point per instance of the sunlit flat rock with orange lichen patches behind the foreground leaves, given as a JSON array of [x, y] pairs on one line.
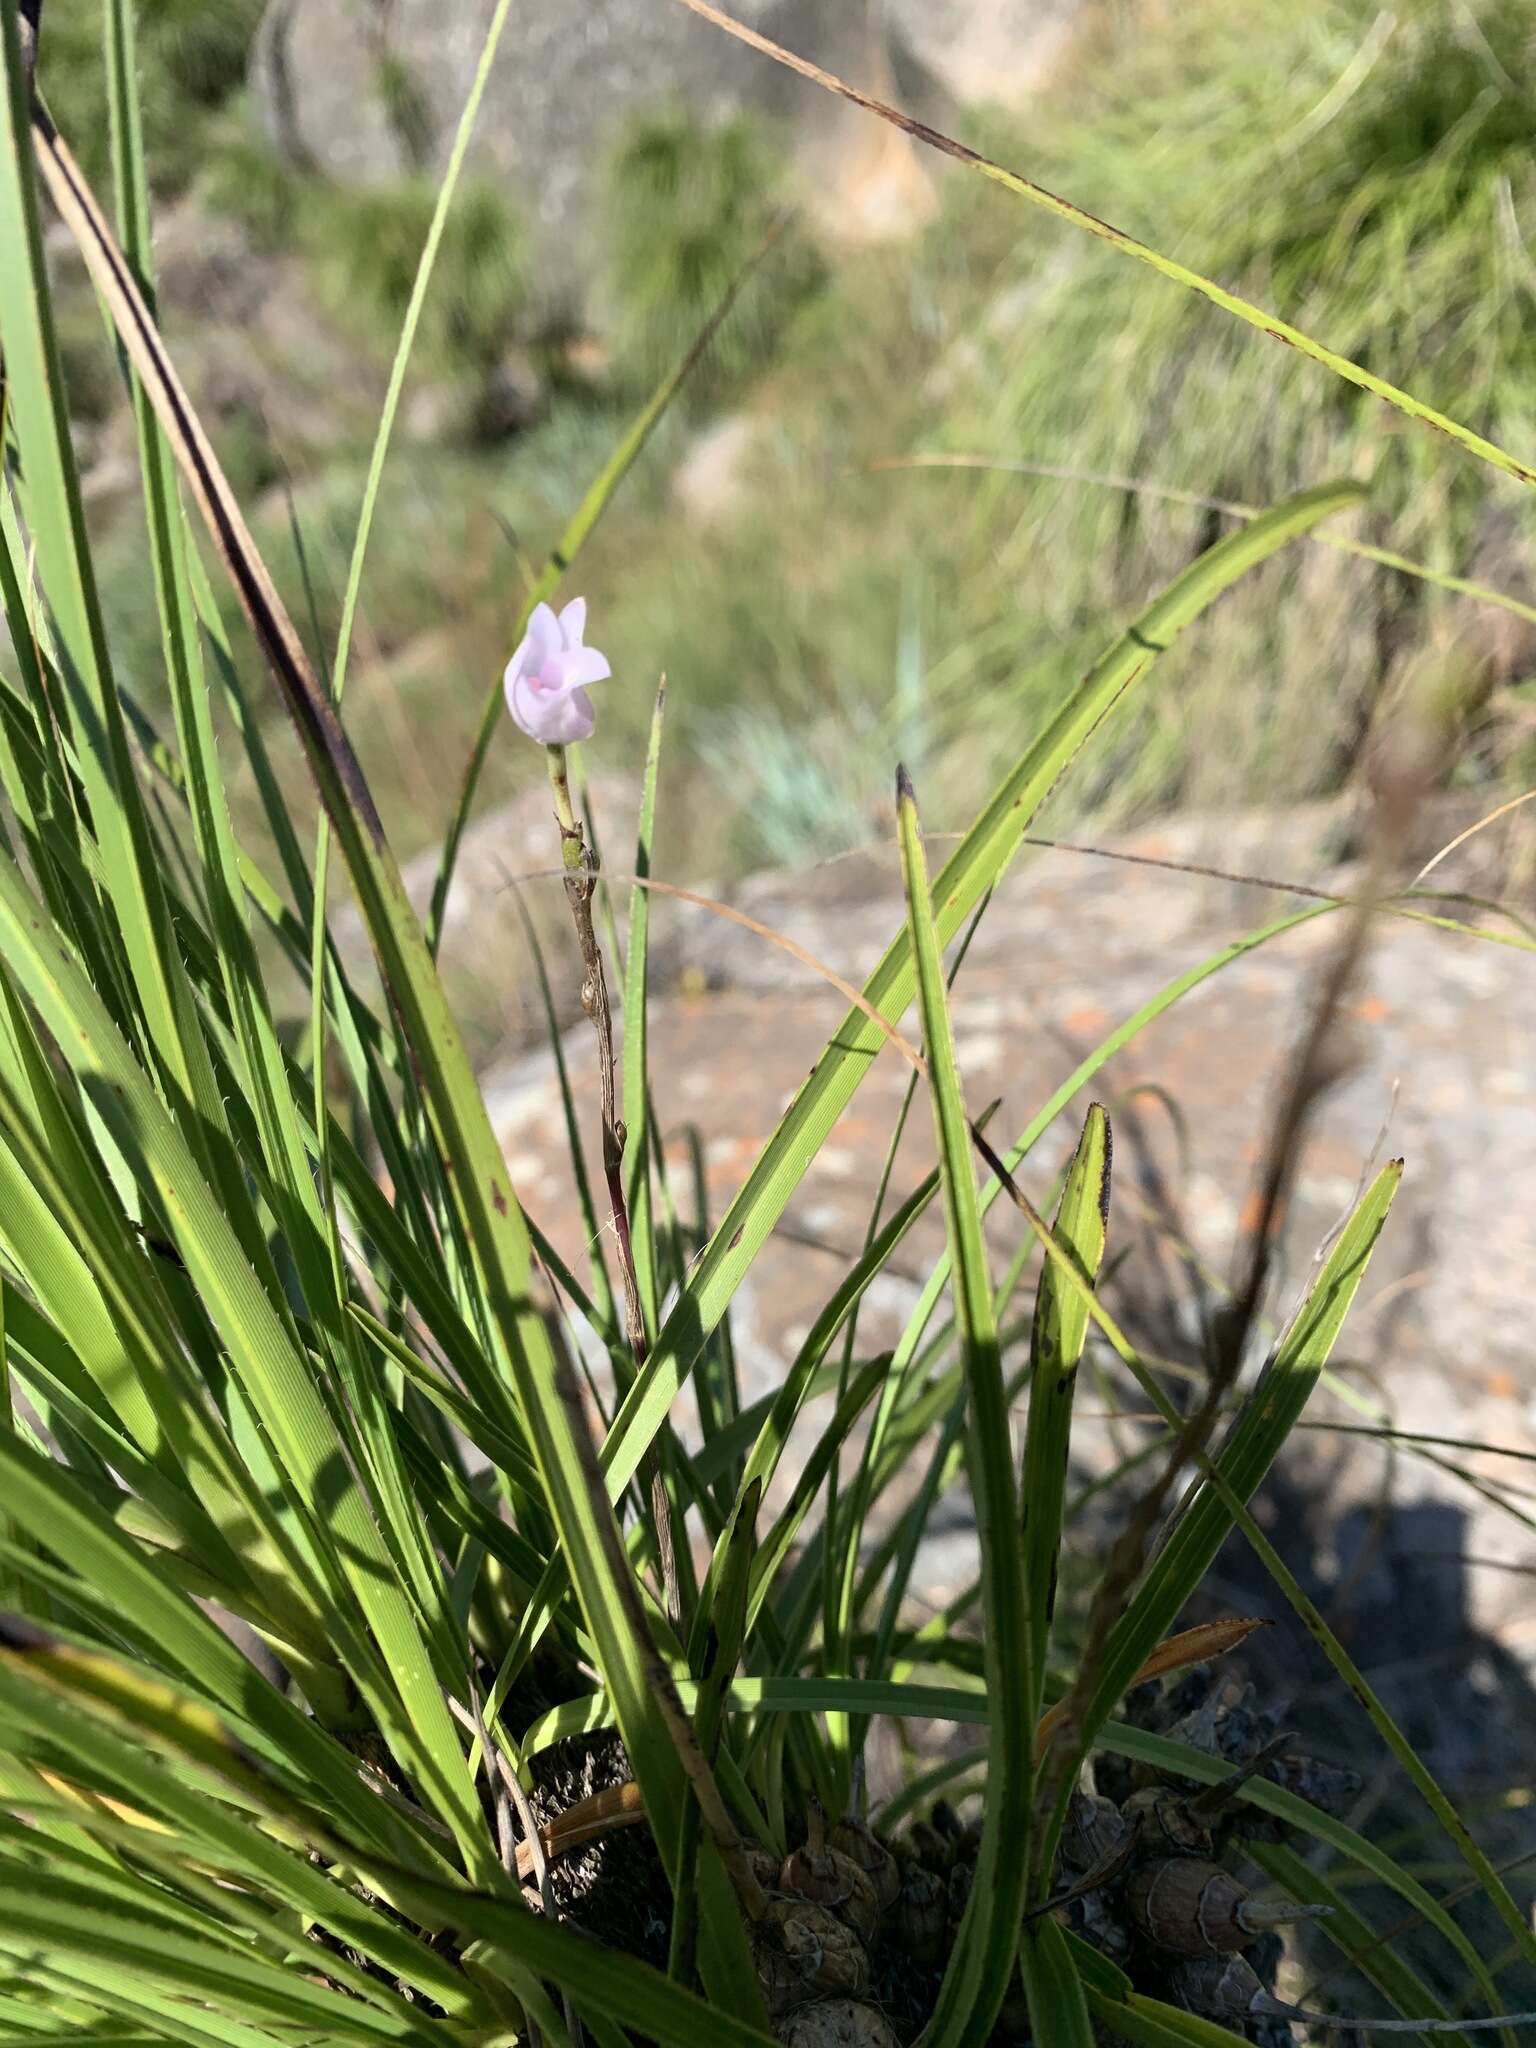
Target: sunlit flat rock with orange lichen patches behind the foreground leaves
[[1443, 1072]]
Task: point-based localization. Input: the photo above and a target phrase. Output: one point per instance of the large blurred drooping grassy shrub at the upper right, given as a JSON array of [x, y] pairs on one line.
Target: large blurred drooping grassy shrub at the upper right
[[1367, 175]]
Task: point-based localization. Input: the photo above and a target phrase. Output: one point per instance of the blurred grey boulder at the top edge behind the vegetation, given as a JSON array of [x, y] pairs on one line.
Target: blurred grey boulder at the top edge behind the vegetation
[[368, 89]]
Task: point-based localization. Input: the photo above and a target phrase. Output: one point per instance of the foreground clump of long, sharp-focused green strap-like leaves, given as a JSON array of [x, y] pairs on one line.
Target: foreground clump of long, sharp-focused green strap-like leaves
[[308, 1555]]
